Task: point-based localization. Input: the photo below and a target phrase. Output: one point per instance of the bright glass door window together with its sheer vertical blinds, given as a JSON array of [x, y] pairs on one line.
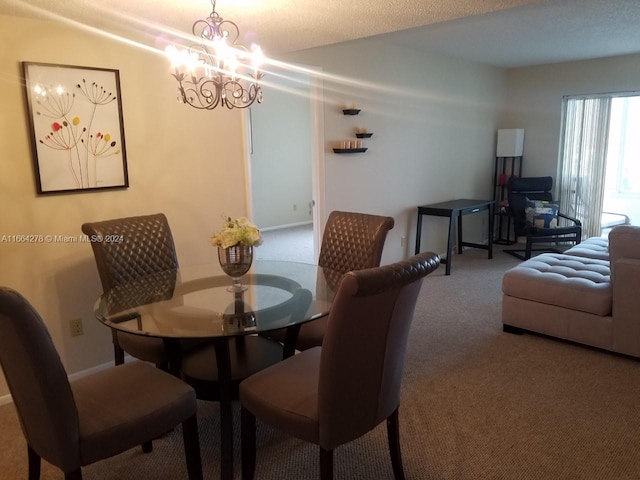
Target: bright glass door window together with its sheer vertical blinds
[[600, 160]]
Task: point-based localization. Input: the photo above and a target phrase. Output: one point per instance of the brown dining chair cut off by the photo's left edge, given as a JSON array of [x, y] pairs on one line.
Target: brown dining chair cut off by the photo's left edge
[[74, 424]]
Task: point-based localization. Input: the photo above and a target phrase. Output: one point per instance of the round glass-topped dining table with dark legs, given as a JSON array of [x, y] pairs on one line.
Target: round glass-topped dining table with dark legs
[[195, 302]]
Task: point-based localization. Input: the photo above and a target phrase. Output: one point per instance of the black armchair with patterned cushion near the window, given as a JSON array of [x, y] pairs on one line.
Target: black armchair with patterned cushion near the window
[[537, 217]]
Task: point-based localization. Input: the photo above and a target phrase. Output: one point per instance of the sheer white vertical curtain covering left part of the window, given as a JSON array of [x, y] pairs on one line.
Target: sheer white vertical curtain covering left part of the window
[[583, 160]]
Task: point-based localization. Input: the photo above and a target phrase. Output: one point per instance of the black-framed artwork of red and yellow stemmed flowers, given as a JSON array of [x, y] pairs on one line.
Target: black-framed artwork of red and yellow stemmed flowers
[[77, 130]]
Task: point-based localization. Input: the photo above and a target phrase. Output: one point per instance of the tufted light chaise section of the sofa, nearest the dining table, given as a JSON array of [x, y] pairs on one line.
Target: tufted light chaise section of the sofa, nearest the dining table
[[568, 281]]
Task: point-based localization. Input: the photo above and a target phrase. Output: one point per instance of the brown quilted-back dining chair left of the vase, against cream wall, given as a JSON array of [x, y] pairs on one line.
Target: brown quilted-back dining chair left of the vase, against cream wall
[[126, 249]]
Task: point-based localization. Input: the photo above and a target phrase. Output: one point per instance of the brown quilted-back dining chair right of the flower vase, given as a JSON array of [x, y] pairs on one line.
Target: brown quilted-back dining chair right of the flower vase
[[350, 241]]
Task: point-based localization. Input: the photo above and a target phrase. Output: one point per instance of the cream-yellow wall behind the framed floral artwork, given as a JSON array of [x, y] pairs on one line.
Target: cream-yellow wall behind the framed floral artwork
[[185, 163]]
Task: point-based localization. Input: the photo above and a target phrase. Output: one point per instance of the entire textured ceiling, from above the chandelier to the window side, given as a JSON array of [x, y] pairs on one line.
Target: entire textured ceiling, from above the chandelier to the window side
[[504, 33]]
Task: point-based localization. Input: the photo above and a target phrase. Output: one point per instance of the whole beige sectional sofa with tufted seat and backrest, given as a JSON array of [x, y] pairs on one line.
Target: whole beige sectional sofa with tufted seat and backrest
[[589, 294]]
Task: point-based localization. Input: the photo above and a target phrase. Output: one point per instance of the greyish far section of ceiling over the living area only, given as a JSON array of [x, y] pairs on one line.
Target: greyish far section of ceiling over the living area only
[[548, 32]]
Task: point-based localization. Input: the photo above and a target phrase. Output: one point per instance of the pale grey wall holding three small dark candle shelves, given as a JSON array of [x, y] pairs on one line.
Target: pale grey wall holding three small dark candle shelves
[[434, 121]]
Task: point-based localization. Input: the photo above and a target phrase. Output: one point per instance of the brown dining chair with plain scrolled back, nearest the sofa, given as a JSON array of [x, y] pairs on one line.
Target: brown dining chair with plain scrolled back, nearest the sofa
[[336, 393]]
